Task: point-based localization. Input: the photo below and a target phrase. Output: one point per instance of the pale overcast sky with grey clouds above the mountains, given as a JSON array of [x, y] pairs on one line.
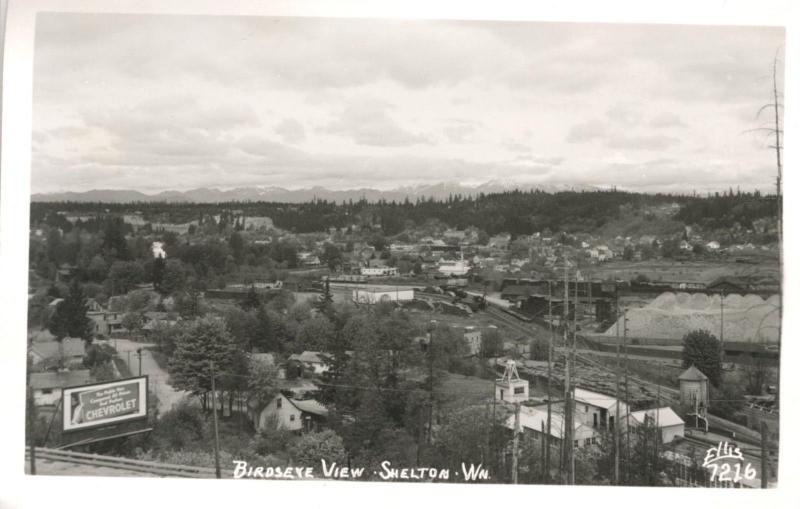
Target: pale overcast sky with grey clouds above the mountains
[[174, 102]]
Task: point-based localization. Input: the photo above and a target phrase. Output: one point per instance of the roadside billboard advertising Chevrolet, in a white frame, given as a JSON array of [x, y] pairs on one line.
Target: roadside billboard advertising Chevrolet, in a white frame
[[102, 404]]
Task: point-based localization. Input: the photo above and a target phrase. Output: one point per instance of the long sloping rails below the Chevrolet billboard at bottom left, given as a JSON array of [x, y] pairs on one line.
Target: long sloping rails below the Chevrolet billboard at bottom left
[[126, 464]]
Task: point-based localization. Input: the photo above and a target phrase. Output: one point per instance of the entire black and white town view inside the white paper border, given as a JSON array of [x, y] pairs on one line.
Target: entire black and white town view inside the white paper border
[[404, 250]]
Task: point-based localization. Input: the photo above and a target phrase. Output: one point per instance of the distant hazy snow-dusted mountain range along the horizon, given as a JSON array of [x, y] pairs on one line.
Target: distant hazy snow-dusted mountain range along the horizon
[[278, 194]]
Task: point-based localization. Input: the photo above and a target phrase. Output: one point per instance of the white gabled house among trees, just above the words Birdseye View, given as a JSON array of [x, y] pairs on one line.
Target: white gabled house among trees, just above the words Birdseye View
[[288, 413]]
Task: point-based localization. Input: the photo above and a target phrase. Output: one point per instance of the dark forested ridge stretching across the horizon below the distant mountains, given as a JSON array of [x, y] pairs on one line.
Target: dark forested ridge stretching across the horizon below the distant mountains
[[514, 212]]
